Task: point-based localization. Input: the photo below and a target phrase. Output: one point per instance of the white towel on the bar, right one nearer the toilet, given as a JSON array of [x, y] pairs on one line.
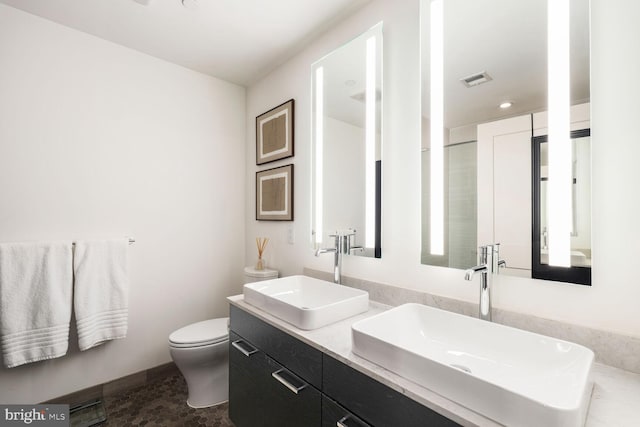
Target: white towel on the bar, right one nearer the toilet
[[101, 291]]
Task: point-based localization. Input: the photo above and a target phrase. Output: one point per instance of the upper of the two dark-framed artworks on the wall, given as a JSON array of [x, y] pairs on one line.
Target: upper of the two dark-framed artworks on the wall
[[274, 133]]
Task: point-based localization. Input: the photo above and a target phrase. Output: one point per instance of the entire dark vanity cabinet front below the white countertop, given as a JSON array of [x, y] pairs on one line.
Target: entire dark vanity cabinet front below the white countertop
[[277, 380]]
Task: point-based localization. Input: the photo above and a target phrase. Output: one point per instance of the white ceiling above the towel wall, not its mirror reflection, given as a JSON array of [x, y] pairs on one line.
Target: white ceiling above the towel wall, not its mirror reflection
[[236, 40]]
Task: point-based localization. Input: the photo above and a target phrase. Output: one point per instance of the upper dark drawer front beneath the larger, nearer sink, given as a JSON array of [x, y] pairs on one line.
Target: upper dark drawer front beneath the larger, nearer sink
[[374, 402]]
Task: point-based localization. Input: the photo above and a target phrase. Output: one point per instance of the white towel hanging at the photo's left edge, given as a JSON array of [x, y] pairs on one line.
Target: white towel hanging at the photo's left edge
[[35, 301]]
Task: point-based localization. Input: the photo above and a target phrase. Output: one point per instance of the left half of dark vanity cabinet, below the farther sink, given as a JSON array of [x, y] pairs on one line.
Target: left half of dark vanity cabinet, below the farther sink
[[274, 379]]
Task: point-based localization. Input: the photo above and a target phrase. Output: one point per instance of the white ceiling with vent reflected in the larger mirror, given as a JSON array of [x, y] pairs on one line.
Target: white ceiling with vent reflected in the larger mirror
[[508, 40]]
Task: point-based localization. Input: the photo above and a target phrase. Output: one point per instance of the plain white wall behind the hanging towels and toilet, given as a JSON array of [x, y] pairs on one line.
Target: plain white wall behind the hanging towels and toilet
[[100, 141]]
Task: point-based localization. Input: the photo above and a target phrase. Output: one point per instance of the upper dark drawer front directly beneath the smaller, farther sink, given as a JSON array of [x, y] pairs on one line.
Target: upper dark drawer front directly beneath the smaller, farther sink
[[300, 358]]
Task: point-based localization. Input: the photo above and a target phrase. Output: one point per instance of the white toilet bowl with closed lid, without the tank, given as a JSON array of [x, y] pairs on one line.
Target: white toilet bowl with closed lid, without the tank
[[201, 352]]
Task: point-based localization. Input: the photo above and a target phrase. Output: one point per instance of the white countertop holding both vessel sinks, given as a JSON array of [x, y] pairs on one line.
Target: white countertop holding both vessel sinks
[[616, 394]]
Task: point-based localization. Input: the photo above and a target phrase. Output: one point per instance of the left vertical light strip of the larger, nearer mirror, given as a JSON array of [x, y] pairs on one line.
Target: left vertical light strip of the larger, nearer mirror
[[437, 125]]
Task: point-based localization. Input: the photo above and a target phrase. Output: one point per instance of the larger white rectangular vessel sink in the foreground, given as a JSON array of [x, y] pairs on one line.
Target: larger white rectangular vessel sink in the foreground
[[514, 377]]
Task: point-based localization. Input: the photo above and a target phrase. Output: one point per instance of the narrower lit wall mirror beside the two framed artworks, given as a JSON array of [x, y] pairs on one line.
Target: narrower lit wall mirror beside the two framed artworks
[[347, 141]]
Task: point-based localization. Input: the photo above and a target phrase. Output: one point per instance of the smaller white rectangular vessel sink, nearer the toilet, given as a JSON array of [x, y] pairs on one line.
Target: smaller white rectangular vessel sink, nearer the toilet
[[305, 302]]
